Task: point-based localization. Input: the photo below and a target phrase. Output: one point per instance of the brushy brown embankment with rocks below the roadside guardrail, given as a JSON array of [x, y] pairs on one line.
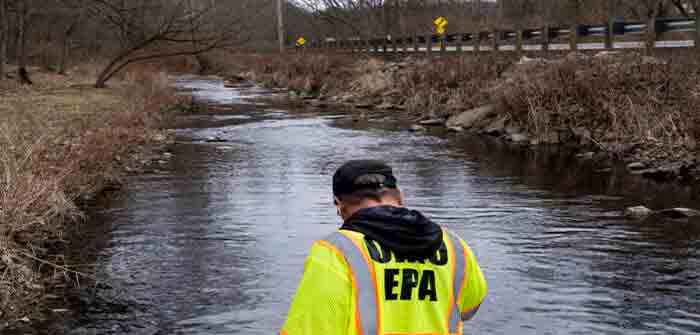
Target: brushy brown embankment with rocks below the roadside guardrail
[[623, 105]]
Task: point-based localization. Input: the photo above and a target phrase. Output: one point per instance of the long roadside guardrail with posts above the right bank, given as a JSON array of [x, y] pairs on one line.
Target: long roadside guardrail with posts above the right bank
[[575, 37]]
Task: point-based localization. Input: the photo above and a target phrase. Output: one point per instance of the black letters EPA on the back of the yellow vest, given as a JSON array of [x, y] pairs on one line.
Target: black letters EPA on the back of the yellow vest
[[411, 279]]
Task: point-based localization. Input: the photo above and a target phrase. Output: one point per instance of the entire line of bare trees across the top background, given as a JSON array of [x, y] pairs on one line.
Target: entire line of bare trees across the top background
[[55, 34]]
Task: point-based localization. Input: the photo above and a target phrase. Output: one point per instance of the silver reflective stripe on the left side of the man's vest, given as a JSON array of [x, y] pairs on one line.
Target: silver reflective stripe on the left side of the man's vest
[[366, 295]]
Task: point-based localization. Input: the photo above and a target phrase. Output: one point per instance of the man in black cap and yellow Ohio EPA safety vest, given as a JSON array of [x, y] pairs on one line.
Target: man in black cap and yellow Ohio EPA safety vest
[[388, 270]]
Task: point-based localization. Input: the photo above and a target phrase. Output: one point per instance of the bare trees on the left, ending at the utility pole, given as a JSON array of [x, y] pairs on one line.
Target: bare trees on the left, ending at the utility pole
[[57, 33]]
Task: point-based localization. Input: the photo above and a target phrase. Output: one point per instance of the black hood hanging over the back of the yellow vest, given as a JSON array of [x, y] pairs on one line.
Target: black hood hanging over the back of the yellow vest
[[405, 232]]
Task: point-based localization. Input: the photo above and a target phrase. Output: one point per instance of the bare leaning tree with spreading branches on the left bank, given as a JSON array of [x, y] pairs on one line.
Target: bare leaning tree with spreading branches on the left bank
[[159, 28]]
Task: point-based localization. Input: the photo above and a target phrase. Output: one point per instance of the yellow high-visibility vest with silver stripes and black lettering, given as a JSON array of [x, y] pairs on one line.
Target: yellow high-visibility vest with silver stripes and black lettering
[[353, 285]]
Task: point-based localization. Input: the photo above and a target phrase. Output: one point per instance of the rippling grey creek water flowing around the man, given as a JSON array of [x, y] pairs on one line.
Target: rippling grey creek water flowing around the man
[[214, 241]]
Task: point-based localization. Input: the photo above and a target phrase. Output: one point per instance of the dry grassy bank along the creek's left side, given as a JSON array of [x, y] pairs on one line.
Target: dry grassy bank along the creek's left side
[[62, 140]]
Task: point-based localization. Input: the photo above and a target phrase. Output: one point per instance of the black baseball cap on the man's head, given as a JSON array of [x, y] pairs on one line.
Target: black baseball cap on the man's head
[[346, 175]]
